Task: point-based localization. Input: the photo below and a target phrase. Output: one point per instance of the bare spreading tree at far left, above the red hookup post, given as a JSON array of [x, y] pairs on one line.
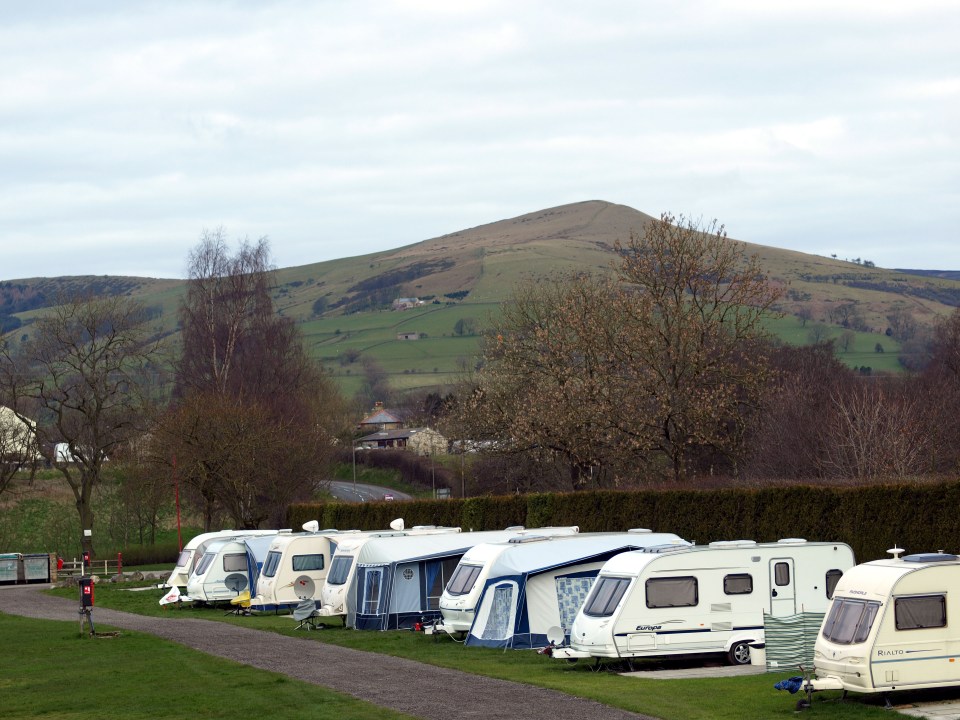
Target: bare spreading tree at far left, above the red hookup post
[[90, 372]]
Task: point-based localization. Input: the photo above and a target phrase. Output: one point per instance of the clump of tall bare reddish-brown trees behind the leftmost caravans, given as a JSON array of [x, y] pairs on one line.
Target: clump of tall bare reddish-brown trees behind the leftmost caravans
[[256, 420]]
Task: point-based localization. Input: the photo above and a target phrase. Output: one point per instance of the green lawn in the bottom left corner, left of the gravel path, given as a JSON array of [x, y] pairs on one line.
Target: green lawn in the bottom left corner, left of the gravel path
[[50, 670]]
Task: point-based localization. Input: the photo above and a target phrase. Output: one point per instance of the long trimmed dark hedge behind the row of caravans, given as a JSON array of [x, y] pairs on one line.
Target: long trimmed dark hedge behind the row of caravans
[[871, 519]]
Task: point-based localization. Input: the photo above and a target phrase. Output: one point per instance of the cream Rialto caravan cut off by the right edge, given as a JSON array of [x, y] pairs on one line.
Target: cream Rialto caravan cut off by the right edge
[[890, 628]]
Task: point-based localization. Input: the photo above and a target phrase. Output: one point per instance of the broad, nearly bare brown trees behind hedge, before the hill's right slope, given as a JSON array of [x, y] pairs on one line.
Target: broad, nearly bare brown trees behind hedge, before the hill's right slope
[[659, 365]]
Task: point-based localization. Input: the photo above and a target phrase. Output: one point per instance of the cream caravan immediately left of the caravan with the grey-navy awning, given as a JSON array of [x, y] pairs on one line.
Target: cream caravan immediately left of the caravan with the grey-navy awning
[[296, 565]]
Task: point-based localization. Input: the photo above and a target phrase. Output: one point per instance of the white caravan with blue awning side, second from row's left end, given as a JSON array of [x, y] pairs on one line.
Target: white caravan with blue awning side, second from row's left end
[[229, 567]]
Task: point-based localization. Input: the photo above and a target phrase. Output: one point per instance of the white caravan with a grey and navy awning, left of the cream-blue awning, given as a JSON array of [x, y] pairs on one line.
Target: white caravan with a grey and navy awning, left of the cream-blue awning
[[384, 583]]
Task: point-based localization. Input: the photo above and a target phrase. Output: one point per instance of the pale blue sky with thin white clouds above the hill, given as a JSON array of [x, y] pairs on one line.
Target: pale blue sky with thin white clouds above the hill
[[341, 128]]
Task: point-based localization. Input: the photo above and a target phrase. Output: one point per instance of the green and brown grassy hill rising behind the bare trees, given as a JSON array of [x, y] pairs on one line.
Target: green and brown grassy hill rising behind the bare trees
[[344, 305]]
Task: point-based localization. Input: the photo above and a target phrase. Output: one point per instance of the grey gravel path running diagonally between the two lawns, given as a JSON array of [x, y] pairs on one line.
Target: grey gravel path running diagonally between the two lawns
[[420, 690]]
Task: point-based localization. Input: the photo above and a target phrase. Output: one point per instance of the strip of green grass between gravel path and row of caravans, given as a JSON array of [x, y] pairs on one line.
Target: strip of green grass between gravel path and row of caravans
[[694, 699]]
